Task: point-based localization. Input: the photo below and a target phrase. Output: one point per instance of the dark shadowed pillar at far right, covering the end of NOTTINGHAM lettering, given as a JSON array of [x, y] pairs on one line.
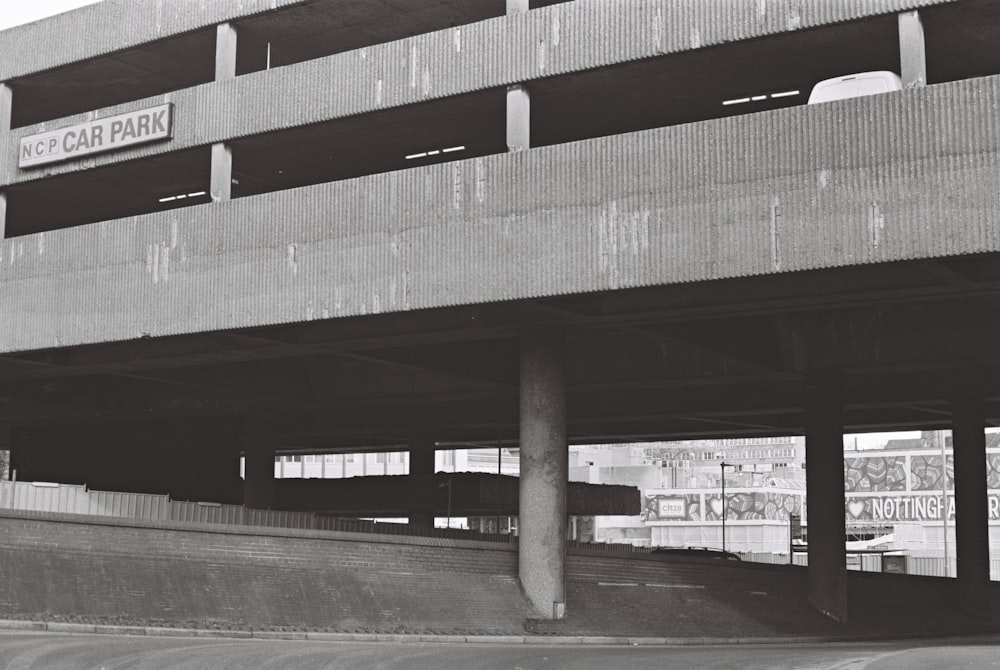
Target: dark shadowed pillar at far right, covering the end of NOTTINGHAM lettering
[[972, 543]]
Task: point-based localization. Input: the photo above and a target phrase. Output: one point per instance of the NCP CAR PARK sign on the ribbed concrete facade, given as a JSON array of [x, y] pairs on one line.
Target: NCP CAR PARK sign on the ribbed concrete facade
[[107, 134]]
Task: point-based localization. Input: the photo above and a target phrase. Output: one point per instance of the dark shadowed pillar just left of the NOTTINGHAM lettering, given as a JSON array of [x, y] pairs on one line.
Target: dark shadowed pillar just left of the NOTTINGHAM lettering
[[825, 496]]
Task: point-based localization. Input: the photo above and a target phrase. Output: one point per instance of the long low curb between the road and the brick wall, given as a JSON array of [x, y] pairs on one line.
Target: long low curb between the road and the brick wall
[[526, 640]]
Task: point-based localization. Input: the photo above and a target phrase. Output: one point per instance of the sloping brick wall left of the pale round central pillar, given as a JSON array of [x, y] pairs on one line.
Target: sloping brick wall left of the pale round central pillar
[[112, 569]]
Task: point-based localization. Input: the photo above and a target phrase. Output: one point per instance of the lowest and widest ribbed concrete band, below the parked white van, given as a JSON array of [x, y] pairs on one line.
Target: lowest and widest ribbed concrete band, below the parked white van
[[857, 181]]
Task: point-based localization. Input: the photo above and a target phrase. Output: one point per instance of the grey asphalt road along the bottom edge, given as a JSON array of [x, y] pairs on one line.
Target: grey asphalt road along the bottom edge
[[54, 651]]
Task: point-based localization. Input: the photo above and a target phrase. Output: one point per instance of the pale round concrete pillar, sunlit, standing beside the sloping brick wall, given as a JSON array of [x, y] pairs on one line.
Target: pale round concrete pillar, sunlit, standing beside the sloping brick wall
[[544, 472]]
